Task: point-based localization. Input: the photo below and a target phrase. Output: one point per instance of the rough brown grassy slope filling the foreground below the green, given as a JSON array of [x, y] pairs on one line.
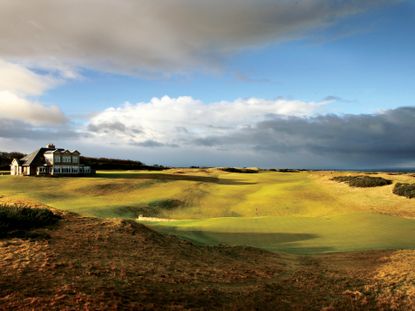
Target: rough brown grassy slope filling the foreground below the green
[[116, 264]]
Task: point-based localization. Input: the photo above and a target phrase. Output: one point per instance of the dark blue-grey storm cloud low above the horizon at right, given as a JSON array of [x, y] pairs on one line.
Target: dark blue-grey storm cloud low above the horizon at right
[[368, 140]]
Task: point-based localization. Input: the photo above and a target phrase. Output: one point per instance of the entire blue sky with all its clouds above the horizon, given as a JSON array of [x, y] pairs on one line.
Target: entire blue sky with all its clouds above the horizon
[[264, 83]]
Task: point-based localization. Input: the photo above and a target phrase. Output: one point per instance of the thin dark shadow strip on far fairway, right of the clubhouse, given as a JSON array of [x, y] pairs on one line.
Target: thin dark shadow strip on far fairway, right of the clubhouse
[[168, 177]]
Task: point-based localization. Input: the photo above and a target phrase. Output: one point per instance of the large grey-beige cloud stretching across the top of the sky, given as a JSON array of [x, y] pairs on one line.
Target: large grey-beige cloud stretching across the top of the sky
[[156, 36]]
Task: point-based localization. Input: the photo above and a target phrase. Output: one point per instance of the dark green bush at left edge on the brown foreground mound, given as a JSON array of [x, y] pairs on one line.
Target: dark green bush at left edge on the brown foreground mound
[[15, 220]]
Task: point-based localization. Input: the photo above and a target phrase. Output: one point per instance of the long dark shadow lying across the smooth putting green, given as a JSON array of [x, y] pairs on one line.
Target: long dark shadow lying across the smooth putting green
[[276, 242]]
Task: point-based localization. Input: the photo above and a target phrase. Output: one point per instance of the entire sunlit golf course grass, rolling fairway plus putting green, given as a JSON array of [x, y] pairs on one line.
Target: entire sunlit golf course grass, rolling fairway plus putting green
[[302, 212]]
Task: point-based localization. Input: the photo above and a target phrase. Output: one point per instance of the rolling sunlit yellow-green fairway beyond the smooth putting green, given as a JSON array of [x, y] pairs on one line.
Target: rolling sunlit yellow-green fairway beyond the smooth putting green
[[211, 193]]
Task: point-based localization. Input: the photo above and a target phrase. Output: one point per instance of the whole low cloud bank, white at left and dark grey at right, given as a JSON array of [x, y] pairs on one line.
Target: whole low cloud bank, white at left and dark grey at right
[[263, 132]]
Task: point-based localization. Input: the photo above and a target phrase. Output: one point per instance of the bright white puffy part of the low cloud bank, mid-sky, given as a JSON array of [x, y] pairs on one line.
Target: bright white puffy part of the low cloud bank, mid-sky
[[175, 121]]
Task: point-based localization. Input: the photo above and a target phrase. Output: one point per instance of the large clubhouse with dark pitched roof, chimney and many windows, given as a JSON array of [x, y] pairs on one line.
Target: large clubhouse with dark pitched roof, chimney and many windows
[[50, 161]]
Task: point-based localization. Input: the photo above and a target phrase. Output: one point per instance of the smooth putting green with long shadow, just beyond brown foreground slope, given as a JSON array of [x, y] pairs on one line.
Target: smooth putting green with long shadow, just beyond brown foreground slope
[[305, 235]]
